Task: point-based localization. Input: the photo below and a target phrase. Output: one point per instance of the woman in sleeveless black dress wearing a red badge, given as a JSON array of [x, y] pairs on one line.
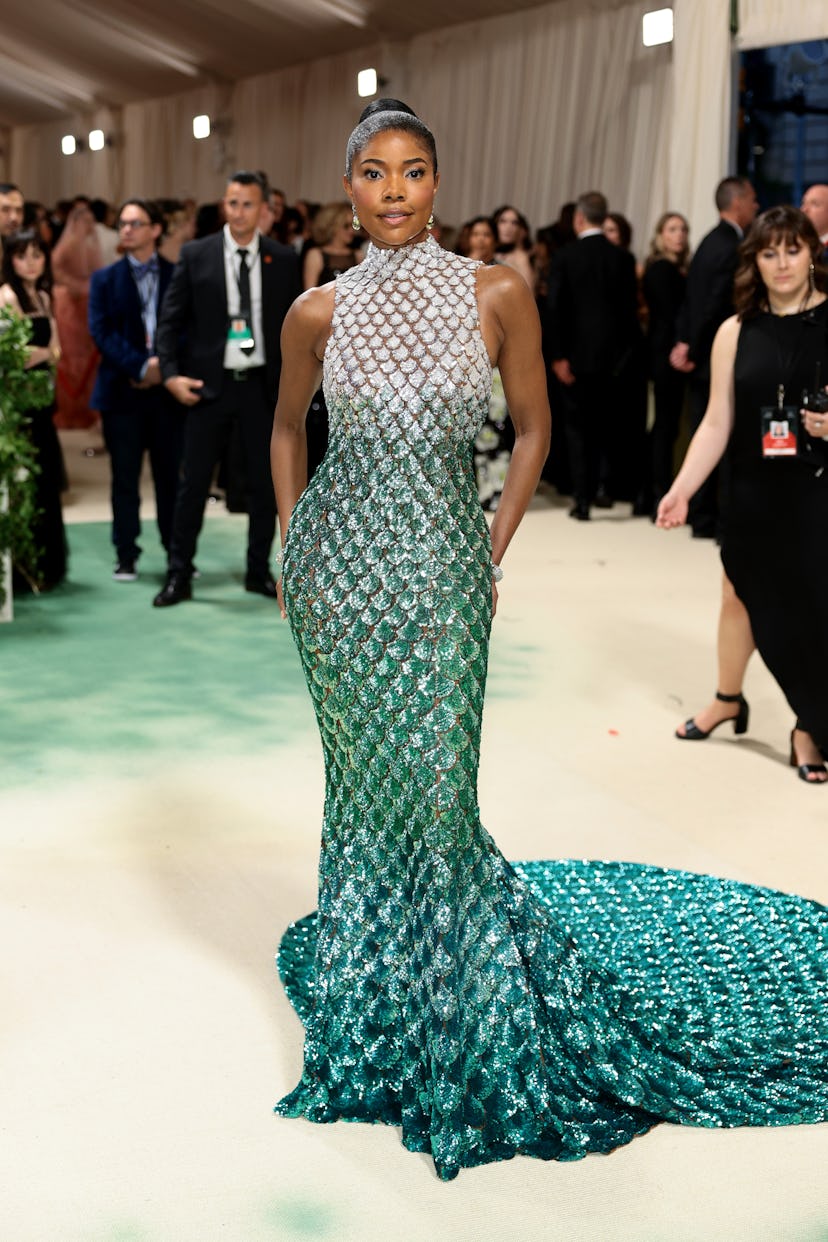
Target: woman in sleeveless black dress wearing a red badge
[[765, 360]]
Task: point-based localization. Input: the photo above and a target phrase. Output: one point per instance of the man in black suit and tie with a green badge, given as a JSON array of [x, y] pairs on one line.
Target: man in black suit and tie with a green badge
[[219, 351]]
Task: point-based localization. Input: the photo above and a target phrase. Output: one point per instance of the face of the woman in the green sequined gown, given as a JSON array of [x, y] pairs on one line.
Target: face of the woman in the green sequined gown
[[393, 188]]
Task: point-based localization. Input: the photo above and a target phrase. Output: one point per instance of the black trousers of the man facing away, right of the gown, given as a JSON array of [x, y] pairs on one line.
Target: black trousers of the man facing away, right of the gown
[[589, 408]]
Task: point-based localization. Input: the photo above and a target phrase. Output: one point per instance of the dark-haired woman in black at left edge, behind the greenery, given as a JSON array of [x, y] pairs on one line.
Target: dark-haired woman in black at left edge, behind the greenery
[[25, 291]]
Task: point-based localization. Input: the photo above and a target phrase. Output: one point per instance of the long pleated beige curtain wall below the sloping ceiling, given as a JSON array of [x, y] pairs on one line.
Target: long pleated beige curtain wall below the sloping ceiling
[[529, 109]]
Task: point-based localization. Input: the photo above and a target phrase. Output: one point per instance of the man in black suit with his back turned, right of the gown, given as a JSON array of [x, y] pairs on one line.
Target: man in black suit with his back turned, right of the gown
[[593, 332]]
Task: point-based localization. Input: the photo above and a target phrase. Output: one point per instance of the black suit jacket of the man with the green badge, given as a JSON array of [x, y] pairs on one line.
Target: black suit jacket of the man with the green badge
[[193, 326]]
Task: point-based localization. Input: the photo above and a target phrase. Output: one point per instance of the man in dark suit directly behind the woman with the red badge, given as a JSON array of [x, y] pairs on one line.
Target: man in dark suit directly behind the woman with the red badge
[[709, 301]]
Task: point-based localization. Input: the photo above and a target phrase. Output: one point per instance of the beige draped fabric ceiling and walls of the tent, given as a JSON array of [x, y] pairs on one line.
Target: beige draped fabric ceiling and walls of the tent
[[529, 107]]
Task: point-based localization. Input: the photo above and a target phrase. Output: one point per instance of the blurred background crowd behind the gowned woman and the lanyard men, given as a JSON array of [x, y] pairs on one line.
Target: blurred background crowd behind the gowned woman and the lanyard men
[[628, 342]]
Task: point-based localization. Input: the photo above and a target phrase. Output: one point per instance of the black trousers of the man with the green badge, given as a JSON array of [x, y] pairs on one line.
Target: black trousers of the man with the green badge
[[246, 407]]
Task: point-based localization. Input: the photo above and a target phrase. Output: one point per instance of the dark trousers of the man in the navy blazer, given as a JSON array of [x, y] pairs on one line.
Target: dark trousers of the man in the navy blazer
[[150, 422]]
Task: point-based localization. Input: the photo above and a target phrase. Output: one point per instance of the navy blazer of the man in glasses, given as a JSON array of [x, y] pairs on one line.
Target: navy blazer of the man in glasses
[[117, 329]]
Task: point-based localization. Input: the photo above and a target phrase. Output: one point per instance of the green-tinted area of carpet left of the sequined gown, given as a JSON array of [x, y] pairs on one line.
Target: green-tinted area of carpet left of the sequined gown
[[95, 679]]
